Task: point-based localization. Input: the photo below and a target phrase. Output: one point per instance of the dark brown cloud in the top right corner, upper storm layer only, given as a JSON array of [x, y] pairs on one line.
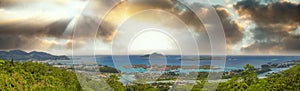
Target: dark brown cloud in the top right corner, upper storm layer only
[[272, 13]]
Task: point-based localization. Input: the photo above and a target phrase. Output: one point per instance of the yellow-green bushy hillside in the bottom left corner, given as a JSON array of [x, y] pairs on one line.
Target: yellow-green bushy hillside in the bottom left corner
[[34, 76]]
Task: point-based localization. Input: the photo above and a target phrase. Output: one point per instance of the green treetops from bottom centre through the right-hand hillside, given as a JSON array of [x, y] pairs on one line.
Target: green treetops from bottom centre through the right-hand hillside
[[248, 81]]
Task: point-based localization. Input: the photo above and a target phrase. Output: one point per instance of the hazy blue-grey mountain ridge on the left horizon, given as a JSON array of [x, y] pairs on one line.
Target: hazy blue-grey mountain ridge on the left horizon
[[20, 55]]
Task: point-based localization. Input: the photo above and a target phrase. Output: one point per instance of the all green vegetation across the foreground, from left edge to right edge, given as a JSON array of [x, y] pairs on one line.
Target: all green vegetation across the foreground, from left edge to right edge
[[35, 76]]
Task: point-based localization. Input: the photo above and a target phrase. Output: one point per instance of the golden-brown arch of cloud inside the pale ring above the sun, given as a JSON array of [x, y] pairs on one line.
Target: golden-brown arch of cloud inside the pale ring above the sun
[[110, 22]]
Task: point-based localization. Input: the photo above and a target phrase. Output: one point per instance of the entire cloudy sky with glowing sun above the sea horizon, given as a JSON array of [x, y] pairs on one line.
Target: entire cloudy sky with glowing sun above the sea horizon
[[65, 27]]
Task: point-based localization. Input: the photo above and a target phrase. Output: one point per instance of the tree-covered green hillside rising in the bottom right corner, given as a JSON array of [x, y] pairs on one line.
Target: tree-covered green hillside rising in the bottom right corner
[[287, 80]]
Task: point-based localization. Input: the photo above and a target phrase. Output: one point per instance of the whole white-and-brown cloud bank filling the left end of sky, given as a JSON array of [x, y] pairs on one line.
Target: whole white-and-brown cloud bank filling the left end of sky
[[29, 24]]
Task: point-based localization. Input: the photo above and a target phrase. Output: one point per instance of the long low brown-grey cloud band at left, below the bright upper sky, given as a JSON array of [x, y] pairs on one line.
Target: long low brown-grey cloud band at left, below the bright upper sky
[[35, 28]]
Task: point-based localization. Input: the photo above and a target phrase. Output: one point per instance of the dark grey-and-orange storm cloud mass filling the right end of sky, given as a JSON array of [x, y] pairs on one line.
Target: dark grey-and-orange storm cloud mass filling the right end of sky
[[275, 22]]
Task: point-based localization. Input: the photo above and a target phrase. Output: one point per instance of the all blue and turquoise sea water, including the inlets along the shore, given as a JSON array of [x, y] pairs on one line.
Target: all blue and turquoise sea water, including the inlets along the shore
[[234, 63]]
